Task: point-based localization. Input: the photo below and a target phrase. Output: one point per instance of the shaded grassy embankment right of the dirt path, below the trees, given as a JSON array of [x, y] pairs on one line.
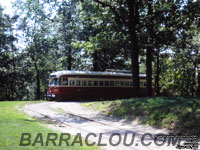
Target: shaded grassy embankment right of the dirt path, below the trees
[[179, 114]]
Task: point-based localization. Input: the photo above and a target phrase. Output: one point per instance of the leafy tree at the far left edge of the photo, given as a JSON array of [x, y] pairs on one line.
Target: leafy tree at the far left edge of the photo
[[12, 74]]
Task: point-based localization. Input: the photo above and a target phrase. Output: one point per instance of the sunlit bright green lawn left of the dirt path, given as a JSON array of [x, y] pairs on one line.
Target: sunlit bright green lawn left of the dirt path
[[14, 122]]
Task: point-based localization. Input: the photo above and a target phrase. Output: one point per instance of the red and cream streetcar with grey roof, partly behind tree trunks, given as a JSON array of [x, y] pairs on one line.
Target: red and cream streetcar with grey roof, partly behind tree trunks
[[91, 84]]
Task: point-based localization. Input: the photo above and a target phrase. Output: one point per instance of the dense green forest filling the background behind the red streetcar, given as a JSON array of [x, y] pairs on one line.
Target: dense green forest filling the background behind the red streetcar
[[159, 38]]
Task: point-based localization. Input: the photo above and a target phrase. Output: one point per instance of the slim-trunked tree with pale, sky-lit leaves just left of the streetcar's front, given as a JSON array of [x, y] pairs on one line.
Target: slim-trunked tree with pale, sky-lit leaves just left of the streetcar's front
[[41, 48]]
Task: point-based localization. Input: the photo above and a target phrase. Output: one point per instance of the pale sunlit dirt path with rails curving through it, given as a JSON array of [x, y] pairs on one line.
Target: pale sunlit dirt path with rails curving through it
[[62, 112]]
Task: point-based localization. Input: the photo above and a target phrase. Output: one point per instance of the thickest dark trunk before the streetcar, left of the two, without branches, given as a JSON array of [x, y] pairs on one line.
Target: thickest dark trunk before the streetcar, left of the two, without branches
[[133, 21]]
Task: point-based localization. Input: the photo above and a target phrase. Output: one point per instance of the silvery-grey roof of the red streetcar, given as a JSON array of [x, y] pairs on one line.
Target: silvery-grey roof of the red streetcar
[[94, 73]]
